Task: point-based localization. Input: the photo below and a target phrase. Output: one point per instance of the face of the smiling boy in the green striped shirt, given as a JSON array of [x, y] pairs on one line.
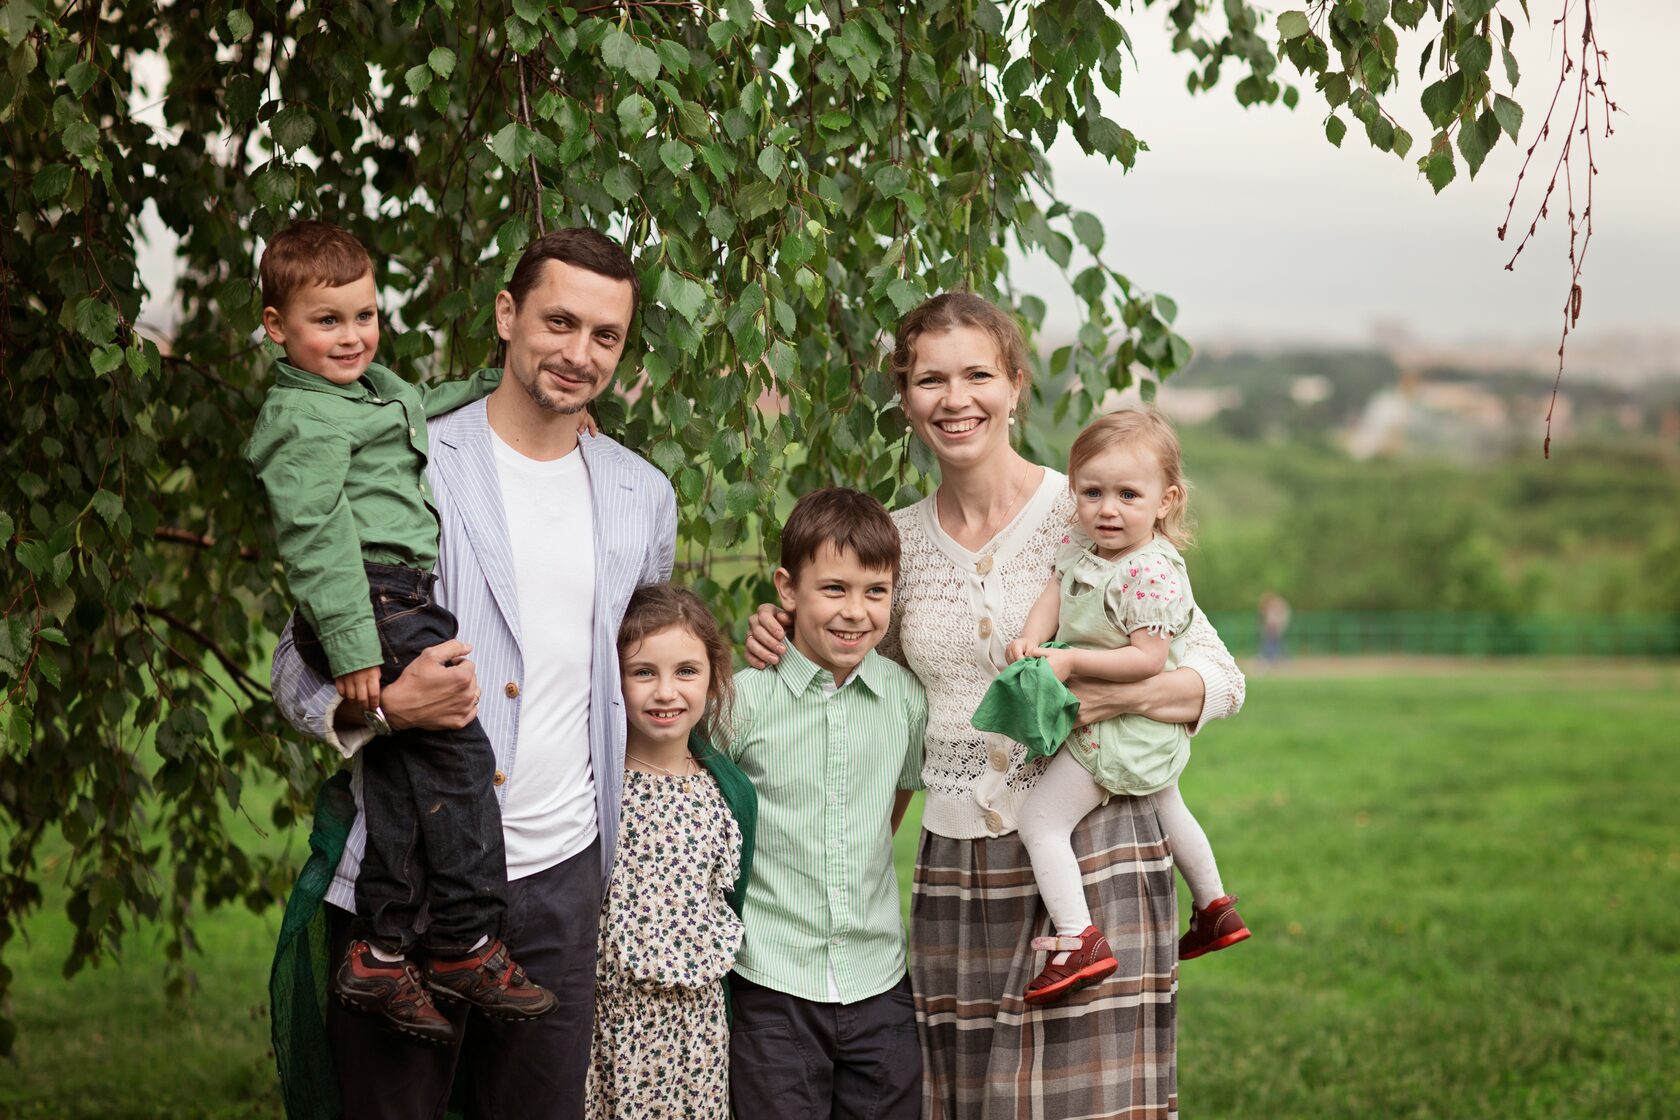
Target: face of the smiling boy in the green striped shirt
[[839, 607]]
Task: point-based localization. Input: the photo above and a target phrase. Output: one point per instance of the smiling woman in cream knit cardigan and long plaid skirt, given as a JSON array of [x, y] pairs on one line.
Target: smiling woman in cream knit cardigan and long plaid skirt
[[977, 555]]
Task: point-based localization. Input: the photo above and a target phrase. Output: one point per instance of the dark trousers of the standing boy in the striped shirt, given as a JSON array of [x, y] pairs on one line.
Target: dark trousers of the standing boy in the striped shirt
[[802, 1060]]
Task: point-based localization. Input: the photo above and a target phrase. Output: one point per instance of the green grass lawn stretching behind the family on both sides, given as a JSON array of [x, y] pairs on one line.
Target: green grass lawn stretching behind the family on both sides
[[1464, 881]]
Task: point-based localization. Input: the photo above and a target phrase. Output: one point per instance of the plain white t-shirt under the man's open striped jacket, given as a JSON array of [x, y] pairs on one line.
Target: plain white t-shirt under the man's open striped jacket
[[549, 814]]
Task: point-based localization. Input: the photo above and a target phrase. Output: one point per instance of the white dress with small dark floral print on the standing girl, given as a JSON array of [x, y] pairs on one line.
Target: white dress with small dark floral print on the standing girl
[[668, 939]]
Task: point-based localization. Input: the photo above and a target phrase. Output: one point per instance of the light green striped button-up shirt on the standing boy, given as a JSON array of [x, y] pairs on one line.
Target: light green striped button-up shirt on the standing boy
[[822, 909]]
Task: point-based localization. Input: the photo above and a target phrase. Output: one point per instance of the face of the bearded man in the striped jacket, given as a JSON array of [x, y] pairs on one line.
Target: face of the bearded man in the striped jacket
[[567, 337]]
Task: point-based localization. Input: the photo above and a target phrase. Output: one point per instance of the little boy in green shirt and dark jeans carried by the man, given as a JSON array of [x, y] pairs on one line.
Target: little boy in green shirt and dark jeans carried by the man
[[342, 451]]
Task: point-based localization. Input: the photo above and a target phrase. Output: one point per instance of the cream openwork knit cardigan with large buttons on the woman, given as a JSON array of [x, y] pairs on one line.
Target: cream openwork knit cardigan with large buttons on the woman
[[953, 615]]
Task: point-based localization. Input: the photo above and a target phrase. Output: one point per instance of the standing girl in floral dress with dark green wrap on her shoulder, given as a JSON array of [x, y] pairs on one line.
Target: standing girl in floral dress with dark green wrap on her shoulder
[[671, 923]]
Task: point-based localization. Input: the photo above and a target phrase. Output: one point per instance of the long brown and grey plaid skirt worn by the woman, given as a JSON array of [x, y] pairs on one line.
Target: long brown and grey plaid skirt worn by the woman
[[1106, 1052]]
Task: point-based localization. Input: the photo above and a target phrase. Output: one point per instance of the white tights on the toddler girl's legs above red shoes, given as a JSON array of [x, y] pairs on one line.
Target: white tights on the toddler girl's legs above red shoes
[[1061, 802]]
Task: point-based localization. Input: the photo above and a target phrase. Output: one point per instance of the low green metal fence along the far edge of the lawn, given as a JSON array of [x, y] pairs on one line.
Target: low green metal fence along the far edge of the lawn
[[1330, 634]]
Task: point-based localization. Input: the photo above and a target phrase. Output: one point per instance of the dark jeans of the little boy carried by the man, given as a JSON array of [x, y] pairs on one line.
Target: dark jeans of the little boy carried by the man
[[428, 797]]
